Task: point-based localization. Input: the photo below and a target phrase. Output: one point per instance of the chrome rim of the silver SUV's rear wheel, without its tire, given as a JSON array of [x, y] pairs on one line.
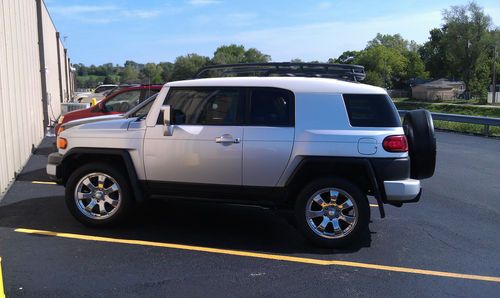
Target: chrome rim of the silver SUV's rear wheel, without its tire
[[331, 213]]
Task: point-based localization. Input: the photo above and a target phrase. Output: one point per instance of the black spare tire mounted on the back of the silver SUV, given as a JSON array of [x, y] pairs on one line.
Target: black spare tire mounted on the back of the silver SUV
[[419, 130]]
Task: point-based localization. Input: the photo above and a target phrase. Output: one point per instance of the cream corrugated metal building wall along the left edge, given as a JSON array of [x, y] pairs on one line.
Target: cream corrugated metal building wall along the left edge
[[21, 96]]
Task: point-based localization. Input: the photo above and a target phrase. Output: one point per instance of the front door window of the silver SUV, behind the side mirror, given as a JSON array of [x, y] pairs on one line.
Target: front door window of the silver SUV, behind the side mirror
[[205, 106]]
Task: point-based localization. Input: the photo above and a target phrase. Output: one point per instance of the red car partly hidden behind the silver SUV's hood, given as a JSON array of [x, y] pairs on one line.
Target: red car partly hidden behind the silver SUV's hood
[[116, 103]]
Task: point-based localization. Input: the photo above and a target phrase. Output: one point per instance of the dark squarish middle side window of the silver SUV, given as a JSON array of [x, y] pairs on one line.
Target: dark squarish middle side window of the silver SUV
[[271, 107]]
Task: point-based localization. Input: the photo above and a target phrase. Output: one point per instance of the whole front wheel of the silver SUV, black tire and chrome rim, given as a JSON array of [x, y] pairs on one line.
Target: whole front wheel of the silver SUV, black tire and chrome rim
[[98, 195]]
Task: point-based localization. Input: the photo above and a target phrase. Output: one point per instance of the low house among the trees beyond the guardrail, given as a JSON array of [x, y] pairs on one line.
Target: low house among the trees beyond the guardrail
[[442, 89]]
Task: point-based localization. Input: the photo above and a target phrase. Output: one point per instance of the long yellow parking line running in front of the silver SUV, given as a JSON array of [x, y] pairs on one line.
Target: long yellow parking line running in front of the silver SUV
[[263, 255]]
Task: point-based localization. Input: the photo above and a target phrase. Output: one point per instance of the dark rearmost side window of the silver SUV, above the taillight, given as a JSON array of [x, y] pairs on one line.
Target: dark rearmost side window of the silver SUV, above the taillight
[[371, 110]]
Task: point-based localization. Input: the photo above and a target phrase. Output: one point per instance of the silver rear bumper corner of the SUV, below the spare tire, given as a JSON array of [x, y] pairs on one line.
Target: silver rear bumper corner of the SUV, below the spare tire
[[403, 191]]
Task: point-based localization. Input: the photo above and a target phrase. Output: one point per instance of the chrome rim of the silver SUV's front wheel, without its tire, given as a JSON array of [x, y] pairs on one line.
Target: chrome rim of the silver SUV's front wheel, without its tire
[[97, 196]]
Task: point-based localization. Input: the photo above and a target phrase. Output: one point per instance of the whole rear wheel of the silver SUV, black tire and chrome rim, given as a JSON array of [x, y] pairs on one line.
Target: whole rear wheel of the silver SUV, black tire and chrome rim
[[332, 212]]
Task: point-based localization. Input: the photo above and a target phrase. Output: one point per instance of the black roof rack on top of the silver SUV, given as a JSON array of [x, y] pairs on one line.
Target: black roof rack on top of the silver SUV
[[345, 72]]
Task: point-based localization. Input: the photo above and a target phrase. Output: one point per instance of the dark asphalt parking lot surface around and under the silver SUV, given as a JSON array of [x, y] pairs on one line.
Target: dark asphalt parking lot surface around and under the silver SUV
[[448, 244]]
